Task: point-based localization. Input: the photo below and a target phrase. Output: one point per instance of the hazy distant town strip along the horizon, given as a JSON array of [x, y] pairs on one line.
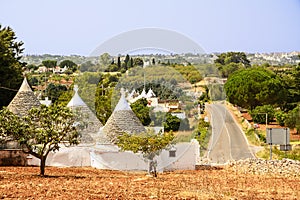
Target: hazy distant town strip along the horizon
[[276, 58]]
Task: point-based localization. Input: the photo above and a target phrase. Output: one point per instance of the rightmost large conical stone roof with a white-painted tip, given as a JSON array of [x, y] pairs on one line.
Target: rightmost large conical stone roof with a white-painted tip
[[122, 120]]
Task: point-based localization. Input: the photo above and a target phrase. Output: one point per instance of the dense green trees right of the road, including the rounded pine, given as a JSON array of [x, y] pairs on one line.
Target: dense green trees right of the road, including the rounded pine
[[265, 89]]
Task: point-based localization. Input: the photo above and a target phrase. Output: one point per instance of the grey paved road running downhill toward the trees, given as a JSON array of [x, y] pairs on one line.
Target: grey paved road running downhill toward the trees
[[228, 141]]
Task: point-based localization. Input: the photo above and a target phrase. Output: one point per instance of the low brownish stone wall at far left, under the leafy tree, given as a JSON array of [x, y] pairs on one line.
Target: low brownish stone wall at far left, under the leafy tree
[[13, 157]]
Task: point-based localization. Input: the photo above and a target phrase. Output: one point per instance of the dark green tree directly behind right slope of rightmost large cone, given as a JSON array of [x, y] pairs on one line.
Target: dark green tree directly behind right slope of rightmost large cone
[[142, 111]]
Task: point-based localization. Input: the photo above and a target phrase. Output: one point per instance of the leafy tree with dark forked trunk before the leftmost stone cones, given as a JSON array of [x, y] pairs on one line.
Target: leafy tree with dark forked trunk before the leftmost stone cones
[[42, 131]]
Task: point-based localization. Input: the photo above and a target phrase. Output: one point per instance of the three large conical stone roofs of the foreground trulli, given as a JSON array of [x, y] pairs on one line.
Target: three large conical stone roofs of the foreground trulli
[[122, 119]]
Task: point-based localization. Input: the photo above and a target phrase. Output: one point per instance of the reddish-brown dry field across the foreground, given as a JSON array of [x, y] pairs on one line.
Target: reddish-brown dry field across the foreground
[[89, 183]]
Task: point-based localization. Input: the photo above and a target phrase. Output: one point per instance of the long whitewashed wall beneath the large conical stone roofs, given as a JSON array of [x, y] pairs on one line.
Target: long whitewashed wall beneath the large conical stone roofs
[[109, 157]]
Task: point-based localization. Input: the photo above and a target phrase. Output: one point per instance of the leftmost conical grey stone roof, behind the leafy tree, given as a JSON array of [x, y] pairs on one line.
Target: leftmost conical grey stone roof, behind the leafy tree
[[24, 100]]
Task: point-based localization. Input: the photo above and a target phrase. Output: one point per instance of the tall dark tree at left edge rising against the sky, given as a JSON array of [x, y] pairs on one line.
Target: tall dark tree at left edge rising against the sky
[[10, 65]]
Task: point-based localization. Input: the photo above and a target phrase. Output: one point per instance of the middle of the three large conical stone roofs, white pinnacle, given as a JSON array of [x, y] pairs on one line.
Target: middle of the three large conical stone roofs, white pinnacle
[[91, 124]]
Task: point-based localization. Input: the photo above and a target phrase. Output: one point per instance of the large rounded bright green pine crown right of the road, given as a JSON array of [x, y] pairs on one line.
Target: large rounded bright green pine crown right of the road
[[253, 87]]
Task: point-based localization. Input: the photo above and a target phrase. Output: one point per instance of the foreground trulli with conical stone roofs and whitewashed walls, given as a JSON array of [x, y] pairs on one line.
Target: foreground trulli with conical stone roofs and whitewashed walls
[[98, 147]]
